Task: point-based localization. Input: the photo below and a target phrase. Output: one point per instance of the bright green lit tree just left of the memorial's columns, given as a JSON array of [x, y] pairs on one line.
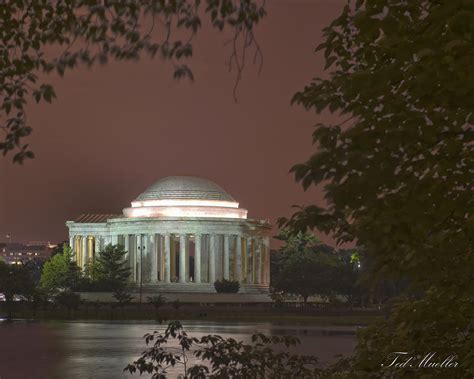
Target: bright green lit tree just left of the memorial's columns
[[60, 272]]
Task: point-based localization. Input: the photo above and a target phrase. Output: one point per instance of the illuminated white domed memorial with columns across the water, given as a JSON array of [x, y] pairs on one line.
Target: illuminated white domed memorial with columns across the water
[[181, 235]]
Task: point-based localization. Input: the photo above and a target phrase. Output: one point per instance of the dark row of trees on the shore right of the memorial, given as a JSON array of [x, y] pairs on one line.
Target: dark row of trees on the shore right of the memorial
[[305, 267]]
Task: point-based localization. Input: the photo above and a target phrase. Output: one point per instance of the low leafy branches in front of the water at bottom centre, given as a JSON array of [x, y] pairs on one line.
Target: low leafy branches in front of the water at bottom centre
[[223, 357]]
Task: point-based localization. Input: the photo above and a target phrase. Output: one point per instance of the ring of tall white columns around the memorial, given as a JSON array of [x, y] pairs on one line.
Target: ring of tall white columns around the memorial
[[184, 257]]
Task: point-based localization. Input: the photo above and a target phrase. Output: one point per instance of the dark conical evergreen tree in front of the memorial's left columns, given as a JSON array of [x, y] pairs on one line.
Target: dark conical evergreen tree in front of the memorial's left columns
[[111, 270]]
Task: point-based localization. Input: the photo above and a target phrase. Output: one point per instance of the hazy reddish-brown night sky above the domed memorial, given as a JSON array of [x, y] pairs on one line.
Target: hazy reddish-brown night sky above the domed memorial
[[116, 129]]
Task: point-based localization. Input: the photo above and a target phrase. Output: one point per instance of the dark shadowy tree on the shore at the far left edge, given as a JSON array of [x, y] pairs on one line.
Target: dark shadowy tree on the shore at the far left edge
[[15, 280]]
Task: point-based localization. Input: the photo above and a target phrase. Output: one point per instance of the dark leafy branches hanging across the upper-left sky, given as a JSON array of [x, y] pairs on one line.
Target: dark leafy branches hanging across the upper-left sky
[[90, 32]]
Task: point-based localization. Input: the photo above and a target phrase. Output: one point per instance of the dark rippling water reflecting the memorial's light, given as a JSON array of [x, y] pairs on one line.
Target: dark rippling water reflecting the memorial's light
[[101, 350]]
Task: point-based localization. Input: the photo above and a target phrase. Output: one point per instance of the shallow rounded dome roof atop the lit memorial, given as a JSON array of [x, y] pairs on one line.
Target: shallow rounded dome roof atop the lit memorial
[[184, 188]]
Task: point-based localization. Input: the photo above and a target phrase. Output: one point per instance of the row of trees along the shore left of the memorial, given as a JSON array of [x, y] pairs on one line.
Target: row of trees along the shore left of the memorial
[[61, 278]]
